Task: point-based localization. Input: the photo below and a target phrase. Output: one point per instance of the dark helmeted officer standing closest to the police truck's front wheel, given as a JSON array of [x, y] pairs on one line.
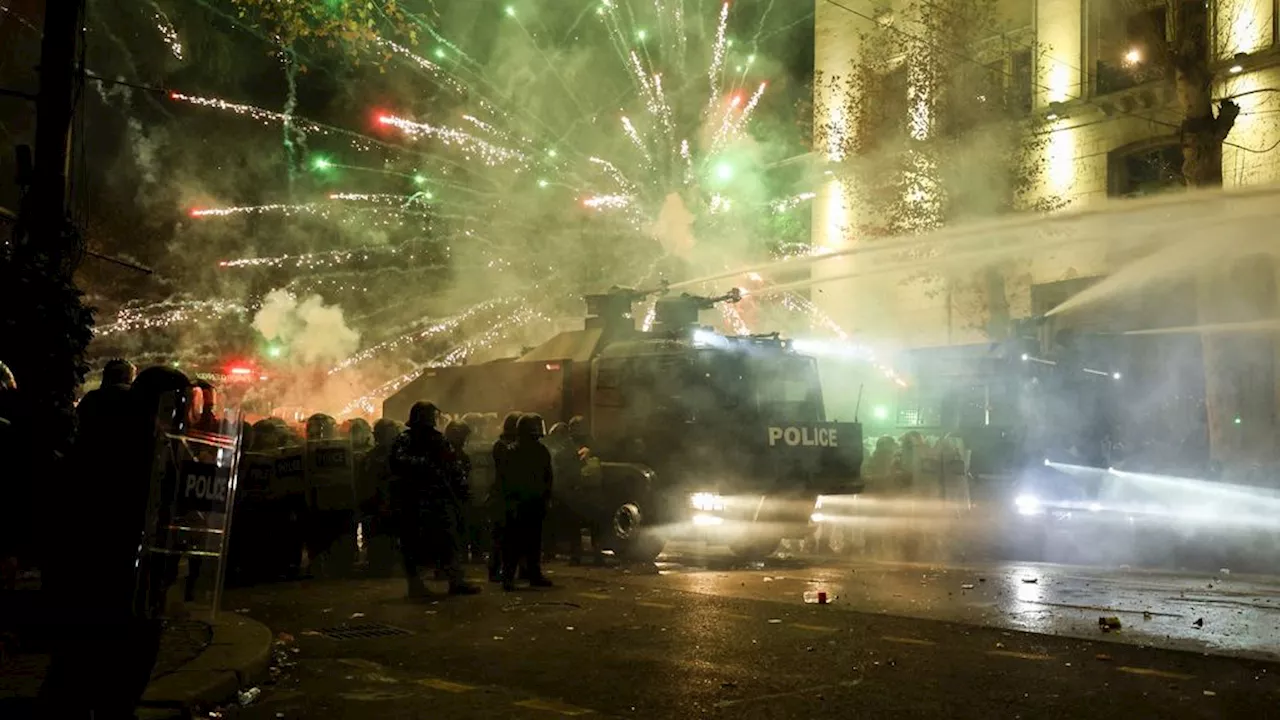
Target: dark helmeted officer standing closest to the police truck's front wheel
[[525, 484]]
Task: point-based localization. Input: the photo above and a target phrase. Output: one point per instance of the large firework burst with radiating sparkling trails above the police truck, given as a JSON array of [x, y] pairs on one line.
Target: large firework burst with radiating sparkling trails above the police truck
[[501, 138]]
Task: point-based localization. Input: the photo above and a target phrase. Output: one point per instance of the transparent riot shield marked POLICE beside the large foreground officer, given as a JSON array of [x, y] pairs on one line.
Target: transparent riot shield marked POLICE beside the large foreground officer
[[191, 500]]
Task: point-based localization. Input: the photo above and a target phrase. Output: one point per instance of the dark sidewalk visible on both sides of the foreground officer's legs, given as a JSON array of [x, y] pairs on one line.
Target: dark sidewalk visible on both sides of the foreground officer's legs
[[199, 666]]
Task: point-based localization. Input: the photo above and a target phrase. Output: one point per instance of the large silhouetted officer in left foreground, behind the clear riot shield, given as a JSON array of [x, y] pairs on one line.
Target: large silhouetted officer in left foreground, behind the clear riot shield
[[107, 596]]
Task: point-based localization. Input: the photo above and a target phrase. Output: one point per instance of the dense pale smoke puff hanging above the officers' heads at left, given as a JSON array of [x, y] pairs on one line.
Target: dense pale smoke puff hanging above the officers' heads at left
[[312, 331]]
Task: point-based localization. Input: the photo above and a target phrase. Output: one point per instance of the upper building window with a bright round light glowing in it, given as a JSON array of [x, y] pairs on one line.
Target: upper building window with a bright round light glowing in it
[[1132, 42]]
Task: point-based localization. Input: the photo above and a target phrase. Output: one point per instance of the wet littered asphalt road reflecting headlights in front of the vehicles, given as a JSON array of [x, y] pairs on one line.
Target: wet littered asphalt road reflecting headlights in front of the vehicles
[[698, 636]]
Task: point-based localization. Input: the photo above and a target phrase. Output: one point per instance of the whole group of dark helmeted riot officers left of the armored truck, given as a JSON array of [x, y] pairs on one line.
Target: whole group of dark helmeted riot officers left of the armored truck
[[412, 498]]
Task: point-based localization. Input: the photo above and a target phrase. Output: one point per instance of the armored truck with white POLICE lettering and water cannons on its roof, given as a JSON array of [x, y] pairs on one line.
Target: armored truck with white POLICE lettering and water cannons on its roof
[[698, 435]]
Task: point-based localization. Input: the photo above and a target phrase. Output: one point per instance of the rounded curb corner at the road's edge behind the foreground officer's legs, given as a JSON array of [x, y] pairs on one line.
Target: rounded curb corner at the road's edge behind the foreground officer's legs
[[237, 657]]
